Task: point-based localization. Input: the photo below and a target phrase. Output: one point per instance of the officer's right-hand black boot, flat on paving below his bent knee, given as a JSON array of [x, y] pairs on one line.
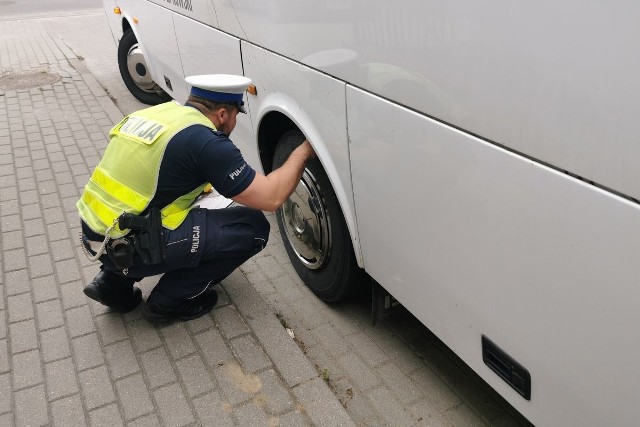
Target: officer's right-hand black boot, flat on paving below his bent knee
[[184, 310]]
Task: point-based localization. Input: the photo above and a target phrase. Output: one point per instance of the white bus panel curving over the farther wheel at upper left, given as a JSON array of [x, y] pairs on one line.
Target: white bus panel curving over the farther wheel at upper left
[[156, 36]]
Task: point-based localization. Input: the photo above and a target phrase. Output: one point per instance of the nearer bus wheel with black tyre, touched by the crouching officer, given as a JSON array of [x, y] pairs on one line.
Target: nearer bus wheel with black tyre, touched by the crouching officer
[[314, 232]]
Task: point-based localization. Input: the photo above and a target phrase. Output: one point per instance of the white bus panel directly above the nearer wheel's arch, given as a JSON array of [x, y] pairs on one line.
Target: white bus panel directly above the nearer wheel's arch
[[315, 103]]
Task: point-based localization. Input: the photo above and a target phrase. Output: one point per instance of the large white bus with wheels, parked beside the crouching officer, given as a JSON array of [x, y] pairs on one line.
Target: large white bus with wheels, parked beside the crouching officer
[[478, 160]]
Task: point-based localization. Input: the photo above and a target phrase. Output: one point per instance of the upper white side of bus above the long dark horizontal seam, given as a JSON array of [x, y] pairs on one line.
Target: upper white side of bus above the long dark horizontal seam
[[557, 81]]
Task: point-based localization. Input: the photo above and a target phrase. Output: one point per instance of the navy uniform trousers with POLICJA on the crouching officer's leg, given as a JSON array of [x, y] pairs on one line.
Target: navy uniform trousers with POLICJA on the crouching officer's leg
[[202, 251]]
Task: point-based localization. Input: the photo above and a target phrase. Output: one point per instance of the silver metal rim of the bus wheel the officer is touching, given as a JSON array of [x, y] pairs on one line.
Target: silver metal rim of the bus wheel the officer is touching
[[307, 224]]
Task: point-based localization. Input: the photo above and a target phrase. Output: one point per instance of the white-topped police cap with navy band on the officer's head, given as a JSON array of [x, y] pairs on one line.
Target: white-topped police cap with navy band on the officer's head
[[222, 88]]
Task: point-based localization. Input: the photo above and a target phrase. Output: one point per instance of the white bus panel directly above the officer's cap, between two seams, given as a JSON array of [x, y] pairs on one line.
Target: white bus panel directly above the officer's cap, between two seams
[[205, 50]]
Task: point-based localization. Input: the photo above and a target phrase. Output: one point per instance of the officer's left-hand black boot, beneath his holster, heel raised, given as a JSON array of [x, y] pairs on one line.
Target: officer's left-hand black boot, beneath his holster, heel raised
[[114, 291]]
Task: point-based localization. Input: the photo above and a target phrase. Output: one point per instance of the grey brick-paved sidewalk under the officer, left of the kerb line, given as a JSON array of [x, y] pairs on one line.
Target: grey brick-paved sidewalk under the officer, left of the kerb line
[[66, 360]]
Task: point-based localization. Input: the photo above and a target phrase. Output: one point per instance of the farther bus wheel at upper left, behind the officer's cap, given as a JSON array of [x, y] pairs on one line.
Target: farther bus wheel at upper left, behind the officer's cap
[[135, 73]]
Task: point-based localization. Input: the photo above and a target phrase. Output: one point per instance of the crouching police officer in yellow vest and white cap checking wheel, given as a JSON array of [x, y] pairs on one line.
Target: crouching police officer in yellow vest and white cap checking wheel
[[160, 159]]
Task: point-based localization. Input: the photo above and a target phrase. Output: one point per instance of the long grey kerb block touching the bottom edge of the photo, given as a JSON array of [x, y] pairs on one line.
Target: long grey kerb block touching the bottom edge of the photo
[[320, 404]]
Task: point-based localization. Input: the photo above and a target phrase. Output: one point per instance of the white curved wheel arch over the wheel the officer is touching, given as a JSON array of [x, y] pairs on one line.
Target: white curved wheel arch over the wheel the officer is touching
[[275, 118]]
